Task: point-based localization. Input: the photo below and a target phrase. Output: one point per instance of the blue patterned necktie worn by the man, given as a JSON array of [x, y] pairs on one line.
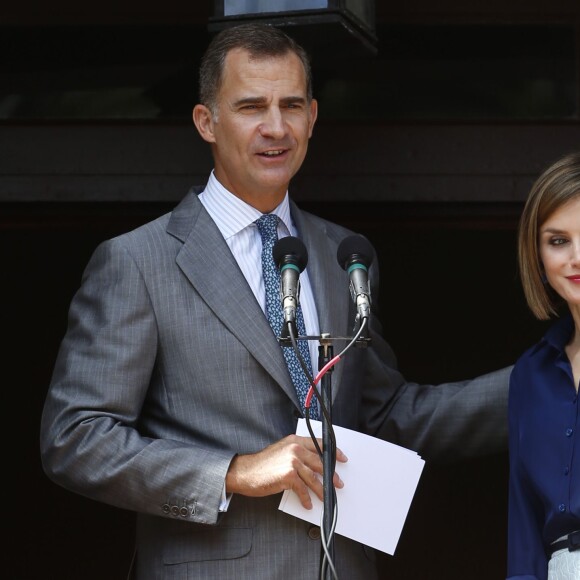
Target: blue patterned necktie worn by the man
[[268, 228]]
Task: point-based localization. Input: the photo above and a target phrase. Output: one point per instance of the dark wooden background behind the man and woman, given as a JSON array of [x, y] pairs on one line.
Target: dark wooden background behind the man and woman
[[439, 198]]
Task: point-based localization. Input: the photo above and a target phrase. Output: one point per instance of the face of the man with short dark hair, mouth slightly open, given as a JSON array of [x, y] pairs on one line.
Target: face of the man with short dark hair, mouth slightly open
[[263, 123]]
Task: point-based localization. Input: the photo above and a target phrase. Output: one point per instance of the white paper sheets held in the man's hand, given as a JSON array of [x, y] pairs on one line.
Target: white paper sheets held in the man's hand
[[380, 480]]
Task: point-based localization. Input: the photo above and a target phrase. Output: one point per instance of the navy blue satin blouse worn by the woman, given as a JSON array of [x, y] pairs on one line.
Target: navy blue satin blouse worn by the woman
[[544, 453]]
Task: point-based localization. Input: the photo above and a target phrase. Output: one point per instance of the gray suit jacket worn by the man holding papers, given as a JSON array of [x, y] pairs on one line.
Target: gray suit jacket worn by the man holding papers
[[169, 368]]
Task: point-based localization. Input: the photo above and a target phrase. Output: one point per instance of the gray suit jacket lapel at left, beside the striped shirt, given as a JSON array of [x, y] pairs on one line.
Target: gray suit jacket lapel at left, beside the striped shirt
[[206, 260]]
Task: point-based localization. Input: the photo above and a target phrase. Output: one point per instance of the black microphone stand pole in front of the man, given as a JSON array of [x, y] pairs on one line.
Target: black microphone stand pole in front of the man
[[325, 355]]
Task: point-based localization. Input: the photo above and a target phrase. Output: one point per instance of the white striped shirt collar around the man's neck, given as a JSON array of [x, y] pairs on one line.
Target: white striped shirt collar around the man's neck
[[231, 214]]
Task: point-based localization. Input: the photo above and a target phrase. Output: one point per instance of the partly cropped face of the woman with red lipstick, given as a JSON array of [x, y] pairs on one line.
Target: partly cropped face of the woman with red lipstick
[[559, 243]]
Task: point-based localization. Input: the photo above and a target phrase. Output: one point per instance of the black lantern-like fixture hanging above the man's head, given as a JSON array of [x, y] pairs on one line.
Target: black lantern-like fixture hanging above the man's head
[[324, 27]]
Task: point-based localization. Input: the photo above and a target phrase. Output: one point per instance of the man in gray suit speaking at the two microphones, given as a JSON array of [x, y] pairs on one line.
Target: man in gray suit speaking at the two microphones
[[171, 396]]
